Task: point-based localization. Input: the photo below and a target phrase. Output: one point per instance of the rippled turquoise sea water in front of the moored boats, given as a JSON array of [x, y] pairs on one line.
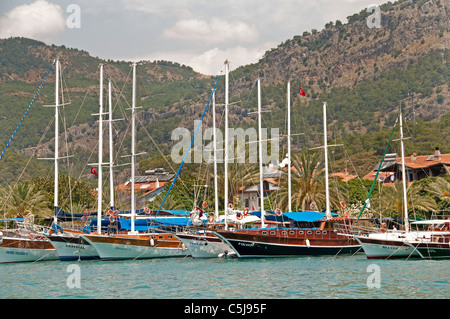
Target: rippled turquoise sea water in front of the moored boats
[[341, 277]]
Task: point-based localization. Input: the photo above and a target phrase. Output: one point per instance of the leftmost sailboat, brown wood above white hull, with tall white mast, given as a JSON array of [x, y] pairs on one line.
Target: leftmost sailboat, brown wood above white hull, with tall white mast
[[27, 243]]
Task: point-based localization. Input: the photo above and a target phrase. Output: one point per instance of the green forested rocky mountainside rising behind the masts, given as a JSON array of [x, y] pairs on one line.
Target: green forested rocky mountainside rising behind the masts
[[363, 73]]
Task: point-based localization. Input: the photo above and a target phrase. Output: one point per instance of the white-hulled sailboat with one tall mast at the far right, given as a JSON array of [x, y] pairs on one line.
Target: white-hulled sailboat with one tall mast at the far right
[[409, 243]]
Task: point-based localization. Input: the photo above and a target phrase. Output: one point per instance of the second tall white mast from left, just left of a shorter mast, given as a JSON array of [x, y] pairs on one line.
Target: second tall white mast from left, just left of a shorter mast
[[100, 155]]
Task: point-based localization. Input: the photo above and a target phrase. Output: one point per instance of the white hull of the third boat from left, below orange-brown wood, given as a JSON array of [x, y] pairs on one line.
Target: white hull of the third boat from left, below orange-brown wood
[[116, 251]]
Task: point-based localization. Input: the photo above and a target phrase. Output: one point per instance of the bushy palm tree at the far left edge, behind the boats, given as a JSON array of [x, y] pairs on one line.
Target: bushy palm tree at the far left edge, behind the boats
[[23, 199]]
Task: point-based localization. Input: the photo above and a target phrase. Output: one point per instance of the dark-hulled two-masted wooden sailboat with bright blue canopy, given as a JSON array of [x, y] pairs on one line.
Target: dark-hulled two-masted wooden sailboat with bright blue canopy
[[308, 233]]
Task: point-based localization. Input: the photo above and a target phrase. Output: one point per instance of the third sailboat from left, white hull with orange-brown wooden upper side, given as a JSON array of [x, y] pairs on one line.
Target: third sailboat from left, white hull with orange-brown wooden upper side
[[134, 244]]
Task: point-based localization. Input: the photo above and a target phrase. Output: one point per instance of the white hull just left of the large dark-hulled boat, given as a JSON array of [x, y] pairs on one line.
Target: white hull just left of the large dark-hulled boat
[[201, 246]]
